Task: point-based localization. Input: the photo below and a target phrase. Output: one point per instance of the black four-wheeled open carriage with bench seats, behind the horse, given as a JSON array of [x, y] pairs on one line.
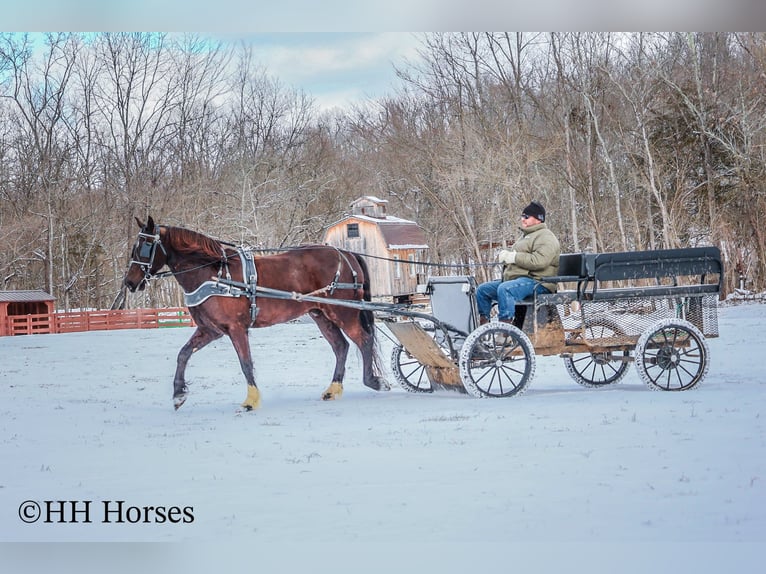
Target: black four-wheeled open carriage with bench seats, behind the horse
[[651, 308]]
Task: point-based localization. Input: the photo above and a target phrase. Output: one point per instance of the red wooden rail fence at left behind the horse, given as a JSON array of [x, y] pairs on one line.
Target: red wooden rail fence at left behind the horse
[[77, 321]]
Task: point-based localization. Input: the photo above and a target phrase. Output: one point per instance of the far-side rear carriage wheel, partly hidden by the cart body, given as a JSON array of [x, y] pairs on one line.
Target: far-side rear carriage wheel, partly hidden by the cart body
[[599, 369]]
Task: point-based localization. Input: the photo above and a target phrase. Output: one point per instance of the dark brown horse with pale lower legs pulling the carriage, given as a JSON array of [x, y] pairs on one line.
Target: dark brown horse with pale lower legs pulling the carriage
[[321, 272]]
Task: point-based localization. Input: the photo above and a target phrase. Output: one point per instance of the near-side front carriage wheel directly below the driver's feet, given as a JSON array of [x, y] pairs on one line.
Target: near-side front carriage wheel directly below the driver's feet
[[497, 360]]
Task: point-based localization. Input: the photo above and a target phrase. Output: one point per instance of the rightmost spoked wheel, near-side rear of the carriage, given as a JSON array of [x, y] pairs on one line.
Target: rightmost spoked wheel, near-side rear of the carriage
[[672, 356]]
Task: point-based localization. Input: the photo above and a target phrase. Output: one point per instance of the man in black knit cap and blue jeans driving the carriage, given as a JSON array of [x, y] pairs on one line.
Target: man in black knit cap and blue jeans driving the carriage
[[533, 256]]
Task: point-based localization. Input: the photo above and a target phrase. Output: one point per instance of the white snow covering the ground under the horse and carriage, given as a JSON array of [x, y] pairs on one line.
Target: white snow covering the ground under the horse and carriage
[[621, 477]]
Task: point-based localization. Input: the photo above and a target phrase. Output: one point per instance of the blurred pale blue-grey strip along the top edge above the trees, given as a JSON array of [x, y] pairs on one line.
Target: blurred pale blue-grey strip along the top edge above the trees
[[354, 15]]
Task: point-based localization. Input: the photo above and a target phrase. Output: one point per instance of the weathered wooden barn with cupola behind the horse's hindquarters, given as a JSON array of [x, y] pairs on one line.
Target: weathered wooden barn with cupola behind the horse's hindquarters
[[394, 245]]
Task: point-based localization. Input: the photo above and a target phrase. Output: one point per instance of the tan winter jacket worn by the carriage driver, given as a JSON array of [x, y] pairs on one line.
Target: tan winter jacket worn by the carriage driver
[[537, 255]]
